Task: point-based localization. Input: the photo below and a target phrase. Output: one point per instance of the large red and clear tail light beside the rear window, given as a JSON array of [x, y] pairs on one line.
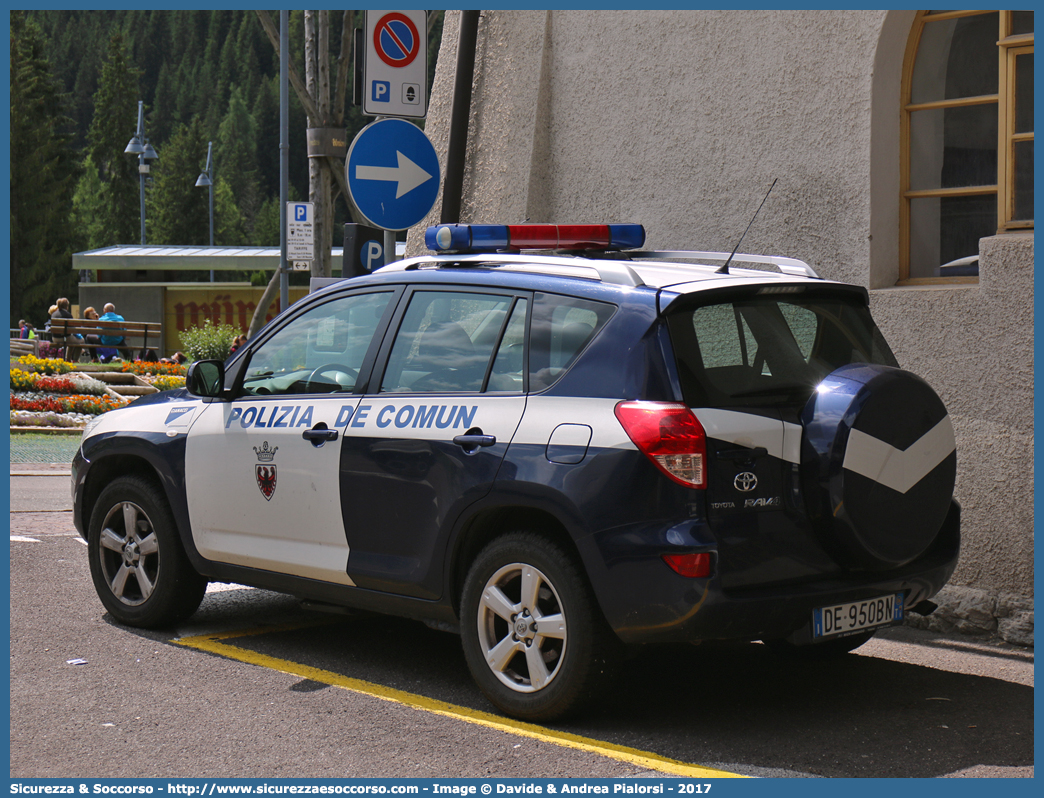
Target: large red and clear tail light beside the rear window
[[671, 436]]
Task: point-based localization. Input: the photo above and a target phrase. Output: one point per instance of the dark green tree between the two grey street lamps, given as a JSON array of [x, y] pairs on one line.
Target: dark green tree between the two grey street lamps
[[178, 210]]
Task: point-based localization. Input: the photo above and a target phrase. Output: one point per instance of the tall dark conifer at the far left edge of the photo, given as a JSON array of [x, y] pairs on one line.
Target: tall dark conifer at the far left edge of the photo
[[43, 175]]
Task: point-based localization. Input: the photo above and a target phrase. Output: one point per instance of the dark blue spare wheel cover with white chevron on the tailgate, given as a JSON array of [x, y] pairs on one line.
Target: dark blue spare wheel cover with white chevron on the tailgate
[[879, 465]]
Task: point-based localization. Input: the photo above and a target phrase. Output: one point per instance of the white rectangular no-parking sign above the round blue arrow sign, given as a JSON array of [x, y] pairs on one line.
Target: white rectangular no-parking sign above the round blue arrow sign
[[396, 64]]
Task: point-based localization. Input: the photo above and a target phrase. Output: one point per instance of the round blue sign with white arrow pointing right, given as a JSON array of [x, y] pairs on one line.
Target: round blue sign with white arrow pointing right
[[393, 174]]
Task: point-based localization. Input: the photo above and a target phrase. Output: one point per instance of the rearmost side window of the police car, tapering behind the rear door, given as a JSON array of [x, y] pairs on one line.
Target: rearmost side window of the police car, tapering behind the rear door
[[562, 327]]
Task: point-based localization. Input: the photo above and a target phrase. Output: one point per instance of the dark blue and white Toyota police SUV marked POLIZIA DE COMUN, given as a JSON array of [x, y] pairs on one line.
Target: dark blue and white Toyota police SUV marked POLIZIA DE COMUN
[[560, 456]]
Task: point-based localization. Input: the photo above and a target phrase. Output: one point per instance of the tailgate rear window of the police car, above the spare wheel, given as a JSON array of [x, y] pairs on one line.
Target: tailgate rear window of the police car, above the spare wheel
[[766, 350]]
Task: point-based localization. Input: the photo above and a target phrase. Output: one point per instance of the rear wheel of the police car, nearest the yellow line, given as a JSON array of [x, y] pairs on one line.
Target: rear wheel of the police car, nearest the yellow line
[[533, 671]]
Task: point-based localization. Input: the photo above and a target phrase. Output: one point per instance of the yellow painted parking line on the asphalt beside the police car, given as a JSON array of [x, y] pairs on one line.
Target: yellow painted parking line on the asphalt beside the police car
[[213, 644]]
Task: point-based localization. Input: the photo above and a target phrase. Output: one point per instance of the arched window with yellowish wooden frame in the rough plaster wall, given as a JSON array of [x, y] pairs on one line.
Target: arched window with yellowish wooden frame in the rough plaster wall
[[967, 135]]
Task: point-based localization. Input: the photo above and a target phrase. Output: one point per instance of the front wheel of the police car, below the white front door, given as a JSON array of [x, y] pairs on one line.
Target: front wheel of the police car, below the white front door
[[141, 574]]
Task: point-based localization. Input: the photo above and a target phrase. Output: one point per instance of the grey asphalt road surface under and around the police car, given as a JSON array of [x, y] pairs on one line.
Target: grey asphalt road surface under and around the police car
[[298, 694]]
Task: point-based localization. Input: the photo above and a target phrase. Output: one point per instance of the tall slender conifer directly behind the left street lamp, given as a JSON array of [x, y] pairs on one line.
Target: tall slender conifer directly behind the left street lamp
[[114, 124]]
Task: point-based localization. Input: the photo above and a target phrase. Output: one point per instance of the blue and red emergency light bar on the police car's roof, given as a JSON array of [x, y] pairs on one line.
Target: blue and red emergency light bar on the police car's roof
[[477, 239]]
